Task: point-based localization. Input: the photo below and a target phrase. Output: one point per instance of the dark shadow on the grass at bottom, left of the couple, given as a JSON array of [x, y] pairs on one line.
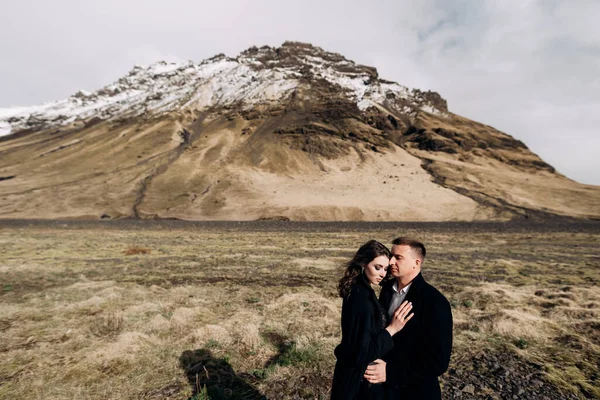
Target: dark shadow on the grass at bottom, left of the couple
[[214, 378]]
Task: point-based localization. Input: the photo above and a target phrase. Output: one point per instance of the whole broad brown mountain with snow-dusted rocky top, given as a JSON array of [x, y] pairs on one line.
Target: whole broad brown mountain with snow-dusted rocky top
[[275, 133]]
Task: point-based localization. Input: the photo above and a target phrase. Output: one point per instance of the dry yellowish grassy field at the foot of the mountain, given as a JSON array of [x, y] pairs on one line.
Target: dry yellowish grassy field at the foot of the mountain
[[154, 310]]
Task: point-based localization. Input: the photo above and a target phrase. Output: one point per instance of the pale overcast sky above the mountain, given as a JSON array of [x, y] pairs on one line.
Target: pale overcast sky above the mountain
[[530, 68]]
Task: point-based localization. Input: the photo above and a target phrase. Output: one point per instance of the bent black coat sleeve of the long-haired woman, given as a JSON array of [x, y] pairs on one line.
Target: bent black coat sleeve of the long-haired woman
[[363, 342]]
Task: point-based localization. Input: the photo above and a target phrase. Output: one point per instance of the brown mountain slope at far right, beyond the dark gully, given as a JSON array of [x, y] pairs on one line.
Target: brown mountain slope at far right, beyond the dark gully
[[492, 168]]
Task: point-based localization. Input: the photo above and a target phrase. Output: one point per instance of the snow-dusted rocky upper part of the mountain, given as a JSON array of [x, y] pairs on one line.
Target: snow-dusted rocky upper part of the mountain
[[257, 76]]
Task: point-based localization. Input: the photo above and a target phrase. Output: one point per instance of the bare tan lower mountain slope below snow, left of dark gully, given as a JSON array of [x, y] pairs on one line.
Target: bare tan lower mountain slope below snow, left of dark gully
[[232, 168]]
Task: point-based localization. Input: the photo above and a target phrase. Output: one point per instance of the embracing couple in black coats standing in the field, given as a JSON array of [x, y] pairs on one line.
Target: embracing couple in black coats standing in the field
[[394, 347]]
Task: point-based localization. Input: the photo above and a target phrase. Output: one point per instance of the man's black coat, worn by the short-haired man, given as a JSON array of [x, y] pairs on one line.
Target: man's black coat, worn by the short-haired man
[[422, 348]]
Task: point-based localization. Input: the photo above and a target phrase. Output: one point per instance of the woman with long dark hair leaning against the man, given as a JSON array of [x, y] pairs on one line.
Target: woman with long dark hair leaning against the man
[[366, 334]]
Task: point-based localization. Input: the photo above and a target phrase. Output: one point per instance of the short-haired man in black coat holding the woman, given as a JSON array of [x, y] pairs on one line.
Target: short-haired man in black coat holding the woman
[[422, 349]]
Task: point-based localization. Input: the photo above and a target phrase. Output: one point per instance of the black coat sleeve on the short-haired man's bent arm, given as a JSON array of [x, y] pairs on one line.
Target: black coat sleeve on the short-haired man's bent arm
[[433, 353]]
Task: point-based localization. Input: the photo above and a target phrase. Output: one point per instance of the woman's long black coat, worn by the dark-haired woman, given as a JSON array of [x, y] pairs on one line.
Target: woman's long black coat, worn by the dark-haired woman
[[364, 339]]
